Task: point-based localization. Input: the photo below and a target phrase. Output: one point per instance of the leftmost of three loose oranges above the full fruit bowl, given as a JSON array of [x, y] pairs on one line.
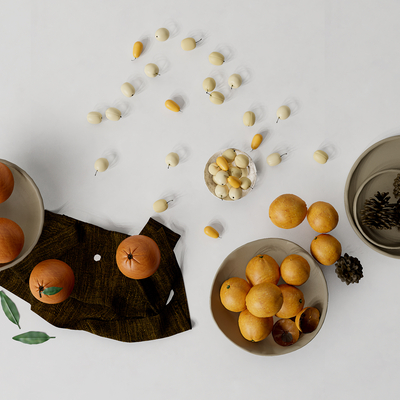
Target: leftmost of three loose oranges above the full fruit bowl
[[287, 211]]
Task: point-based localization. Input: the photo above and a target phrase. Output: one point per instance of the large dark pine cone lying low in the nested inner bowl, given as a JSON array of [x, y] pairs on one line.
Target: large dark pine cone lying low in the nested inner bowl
[[378, 213]]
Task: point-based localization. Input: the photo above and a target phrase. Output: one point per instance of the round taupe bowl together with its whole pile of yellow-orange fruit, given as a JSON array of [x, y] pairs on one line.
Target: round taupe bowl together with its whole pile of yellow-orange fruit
[[269, 297]]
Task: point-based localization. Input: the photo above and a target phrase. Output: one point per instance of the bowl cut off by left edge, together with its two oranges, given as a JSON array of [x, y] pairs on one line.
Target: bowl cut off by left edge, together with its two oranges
[[21, 214]]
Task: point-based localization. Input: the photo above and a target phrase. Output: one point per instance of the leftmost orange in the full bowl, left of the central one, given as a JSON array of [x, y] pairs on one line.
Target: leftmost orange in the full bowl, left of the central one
[[233, 294]]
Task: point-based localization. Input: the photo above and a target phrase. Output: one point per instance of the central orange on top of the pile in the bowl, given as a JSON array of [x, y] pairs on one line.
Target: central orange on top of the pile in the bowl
[[264, 300]]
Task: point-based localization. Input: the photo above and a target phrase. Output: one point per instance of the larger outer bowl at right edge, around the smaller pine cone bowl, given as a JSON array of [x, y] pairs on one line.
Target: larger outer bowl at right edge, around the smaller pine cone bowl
[[381, 156]]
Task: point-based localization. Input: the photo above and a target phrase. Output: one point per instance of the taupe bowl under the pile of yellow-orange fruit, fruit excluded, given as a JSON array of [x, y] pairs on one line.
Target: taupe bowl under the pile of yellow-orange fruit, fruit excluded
[[315, 292]]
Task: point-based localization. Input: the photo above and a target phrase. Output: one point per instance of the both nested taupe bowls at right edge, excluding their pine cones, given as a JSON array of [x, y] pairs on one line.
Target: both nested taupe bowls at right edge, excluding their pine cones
[[382, 156]]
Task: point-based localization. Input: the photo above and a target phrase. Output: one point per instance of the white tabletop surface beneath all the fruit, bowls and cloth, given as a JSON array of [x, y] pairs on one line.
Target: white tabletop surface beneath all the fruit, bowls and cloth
[[335, 62]]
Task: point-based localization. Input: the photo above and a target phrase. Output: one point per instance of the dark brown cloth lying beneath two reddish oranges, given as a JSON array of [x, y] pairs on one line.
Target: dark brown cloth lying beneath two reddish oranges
[[104, 301]]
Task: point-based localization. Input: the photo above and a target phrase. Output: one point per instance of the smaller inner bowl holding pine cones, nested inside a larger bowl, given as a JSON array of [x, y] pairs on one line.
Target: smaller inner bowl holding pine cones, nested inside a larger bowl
[[382, 182]]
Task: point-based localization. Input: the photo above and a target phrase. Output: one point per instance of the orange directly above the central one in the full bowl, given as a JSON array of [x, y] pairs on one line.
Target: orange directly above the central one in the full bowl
[[262, 268]]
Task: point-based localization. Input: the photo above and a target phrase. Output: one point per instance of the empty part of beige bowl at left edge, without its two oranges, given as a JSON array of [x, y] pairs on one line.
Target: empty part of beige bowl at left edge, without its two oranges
[[25, 207]]
